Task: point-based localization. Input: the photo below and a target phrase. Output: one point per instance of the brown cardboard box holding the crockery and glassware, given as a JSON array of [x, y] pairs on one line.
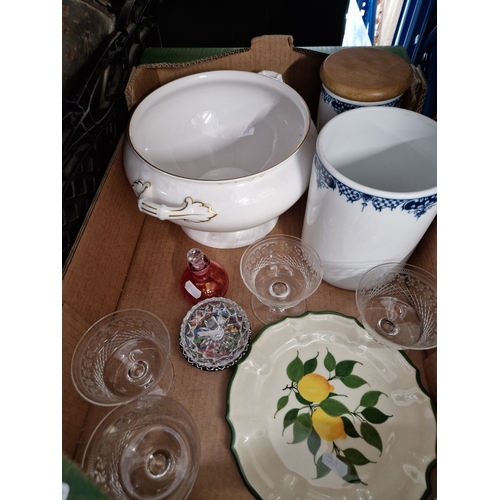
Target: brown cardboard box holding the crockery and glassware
[[125, 259]]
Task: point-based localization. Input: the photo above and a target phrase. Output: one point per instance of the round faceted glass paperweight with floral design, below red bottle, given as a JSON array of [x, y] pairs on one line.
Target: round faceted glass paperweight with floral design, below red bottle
[[215, 334]]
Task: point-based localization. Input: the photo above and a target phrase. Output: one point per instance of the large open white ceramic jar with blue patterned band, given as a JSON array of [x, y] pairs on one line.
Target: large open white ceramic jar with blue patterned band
[[373, 190]]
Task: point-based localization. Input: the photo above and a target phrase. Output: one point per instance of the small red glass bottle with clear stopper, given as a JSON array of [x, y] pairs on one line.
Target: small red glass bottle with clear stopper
[[202, 278]]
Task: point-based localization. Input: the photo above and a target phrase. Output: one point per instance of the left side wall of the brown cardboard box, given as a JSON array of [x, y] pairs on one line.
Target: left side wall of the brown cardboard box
[[94, 279]]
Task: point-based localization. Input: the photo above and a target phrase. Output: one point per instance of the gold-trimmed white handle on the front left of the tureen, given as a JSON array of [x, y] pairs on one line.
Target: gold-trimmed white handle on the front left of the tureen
[[192, 211]]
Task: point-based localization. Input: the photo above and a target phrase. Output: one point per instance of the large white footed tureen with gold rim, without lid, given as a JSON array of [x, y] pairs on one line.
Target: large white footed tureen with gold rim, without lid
[[221, 153]]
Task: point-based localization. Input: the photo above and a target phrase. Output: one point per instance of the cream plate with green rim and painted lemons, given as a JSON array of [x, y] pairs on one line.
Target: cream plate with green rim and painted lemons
[[319, 410]]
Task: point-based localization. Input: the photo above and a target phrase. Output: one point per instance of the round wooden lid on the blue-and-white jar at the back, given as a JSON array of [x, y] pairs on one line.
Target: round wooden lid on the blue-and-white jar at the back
[[366, 74]]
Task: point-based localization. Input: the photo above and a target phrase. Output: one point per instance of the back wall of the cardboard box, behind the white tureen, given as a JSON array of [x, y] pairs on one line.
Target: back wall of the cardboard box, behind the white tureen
[[299, 67]]
